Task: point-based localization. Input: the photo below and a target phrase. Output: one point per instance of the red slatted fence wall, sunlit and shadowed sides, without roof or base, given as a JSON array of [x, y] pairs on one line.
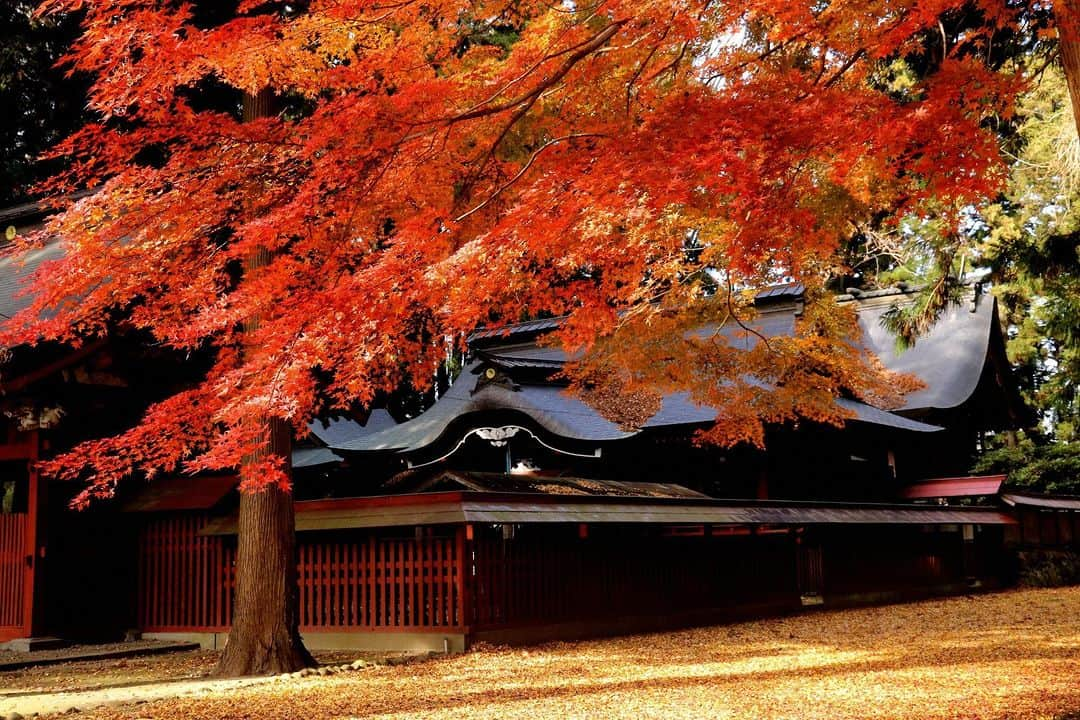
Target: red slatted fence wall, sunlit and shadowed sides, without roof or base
[[538, 575]]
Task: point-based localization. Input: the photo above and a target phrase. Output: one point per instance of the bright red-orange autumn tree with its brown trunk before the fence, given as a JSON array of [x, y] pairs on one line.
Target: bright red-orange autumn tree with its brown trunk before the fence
[[435, 166]]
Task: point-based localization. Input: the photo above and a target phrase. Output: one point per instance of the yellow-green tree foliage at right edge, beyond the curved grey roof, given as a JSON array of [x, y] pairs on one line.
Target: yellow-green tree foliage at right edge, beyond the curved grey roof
[[1023, 242]]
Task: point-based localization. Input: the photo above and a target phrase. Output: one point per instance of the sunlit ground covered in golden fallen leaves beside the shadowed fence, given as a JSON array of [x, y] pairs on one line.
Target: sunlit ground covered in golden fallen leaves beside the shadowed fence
[[1014, 655]]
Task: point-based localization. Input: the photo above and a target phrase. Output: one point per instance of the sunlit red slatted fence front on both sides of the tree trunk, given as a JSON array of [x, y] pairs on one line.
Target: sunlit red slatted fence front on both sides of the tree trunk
[[347, 581]]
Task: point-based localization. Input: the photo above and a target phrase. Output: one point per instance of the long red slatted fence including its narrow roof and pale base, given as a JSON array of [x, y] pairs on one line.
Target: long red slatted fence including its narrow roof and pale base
[[443, 570]]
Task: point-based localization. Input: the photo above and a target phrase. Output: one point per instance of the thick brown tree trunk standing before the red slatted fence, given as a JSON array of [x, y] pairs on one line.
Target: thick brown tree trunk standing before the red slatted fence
[[265, 637]]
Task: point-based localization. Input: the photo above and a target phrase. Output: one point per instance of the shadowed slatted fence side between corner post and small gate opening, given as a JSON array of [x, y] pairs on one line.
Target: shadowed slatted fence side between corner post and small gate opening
[[550, 575]]
